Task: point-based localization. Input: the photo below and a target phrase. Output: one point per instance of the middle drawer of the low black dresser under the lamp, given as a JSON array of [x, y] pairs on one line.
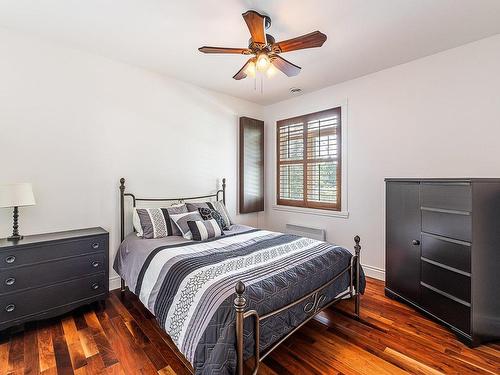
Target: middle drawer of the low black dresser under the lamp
[[19, 278]]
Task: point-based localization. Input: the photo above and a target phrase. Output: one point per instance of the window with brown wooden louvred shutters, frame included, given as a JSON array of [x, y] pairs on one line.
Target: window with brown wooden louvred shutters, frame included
[[309, 160]]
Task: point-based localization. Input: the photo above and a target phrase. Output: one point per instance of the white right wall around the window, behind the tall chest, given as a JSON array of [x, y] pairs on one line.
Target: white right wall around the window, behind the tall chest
[[438, 116]]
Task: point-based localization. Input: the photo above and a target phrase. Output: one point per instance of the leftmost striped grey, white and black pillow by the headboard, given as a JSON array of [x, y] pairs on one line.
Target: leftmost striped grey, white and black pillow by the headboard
[[156, 222]]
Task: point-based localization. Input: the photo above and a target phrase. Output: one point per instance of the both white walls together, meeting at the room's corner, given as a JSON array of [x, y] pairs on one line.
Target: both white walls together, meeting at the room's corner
[[73, 123]]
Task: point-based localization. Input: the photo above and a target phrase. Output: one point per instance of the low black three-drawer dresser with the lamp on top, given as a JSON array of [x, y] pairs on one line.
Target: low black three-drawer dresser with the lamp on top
[[49, 274]]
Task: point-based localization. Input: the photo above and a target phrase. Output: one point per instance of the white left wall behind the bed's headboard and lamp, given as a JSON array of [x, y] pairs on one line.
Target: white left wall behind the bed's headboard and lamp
[[73, 123]]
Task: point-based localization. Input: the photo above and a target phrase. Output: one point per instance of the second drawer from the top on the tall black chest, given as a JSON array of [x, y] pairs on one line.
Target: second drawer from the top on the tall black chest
[[447, 224]]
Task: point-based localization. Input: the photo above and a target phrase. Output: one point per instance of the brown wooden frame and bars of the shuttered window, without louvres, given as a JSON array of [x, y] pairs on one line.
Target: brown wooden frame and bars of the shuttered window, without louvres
[[334, 208]]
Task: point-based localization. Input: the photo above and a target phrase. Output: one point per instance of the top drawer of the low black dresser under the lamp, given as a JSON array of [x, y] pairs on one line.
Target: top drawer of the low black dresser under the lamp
[[40, 253]]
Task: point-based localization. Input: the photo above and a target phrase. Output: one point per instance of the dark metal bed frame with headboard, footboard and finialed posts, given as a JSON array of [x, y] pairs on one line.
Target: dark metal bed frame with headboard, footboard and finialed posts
[[315, 297]]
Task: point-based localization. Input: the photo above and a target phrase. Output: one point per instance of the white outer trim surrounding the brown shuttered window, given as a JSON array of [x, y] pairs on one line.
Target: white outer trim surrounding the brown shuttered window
[[298, 207]]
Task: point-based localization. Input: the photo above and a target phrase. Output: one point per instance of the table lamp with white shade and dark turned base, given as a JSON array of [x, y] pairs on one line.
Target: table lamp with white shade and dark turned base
[[16, 195]]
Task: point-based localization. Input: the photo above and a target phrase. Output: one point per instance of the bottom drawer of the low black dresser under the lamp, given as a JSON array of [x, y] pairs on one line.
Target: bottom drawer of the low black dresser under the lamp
[[37, 301]]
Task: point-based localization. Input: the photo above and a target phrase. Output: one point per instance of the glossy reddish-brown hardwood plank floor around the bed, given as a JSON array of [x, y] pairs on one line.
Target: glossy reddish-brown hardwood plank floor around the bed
[[123, 338]]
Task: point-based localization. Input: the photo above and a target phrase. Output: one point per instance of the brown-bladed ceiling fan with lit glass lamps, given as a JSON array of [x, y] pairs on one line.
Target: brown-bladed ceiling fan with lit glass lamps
[[266, 50]]
